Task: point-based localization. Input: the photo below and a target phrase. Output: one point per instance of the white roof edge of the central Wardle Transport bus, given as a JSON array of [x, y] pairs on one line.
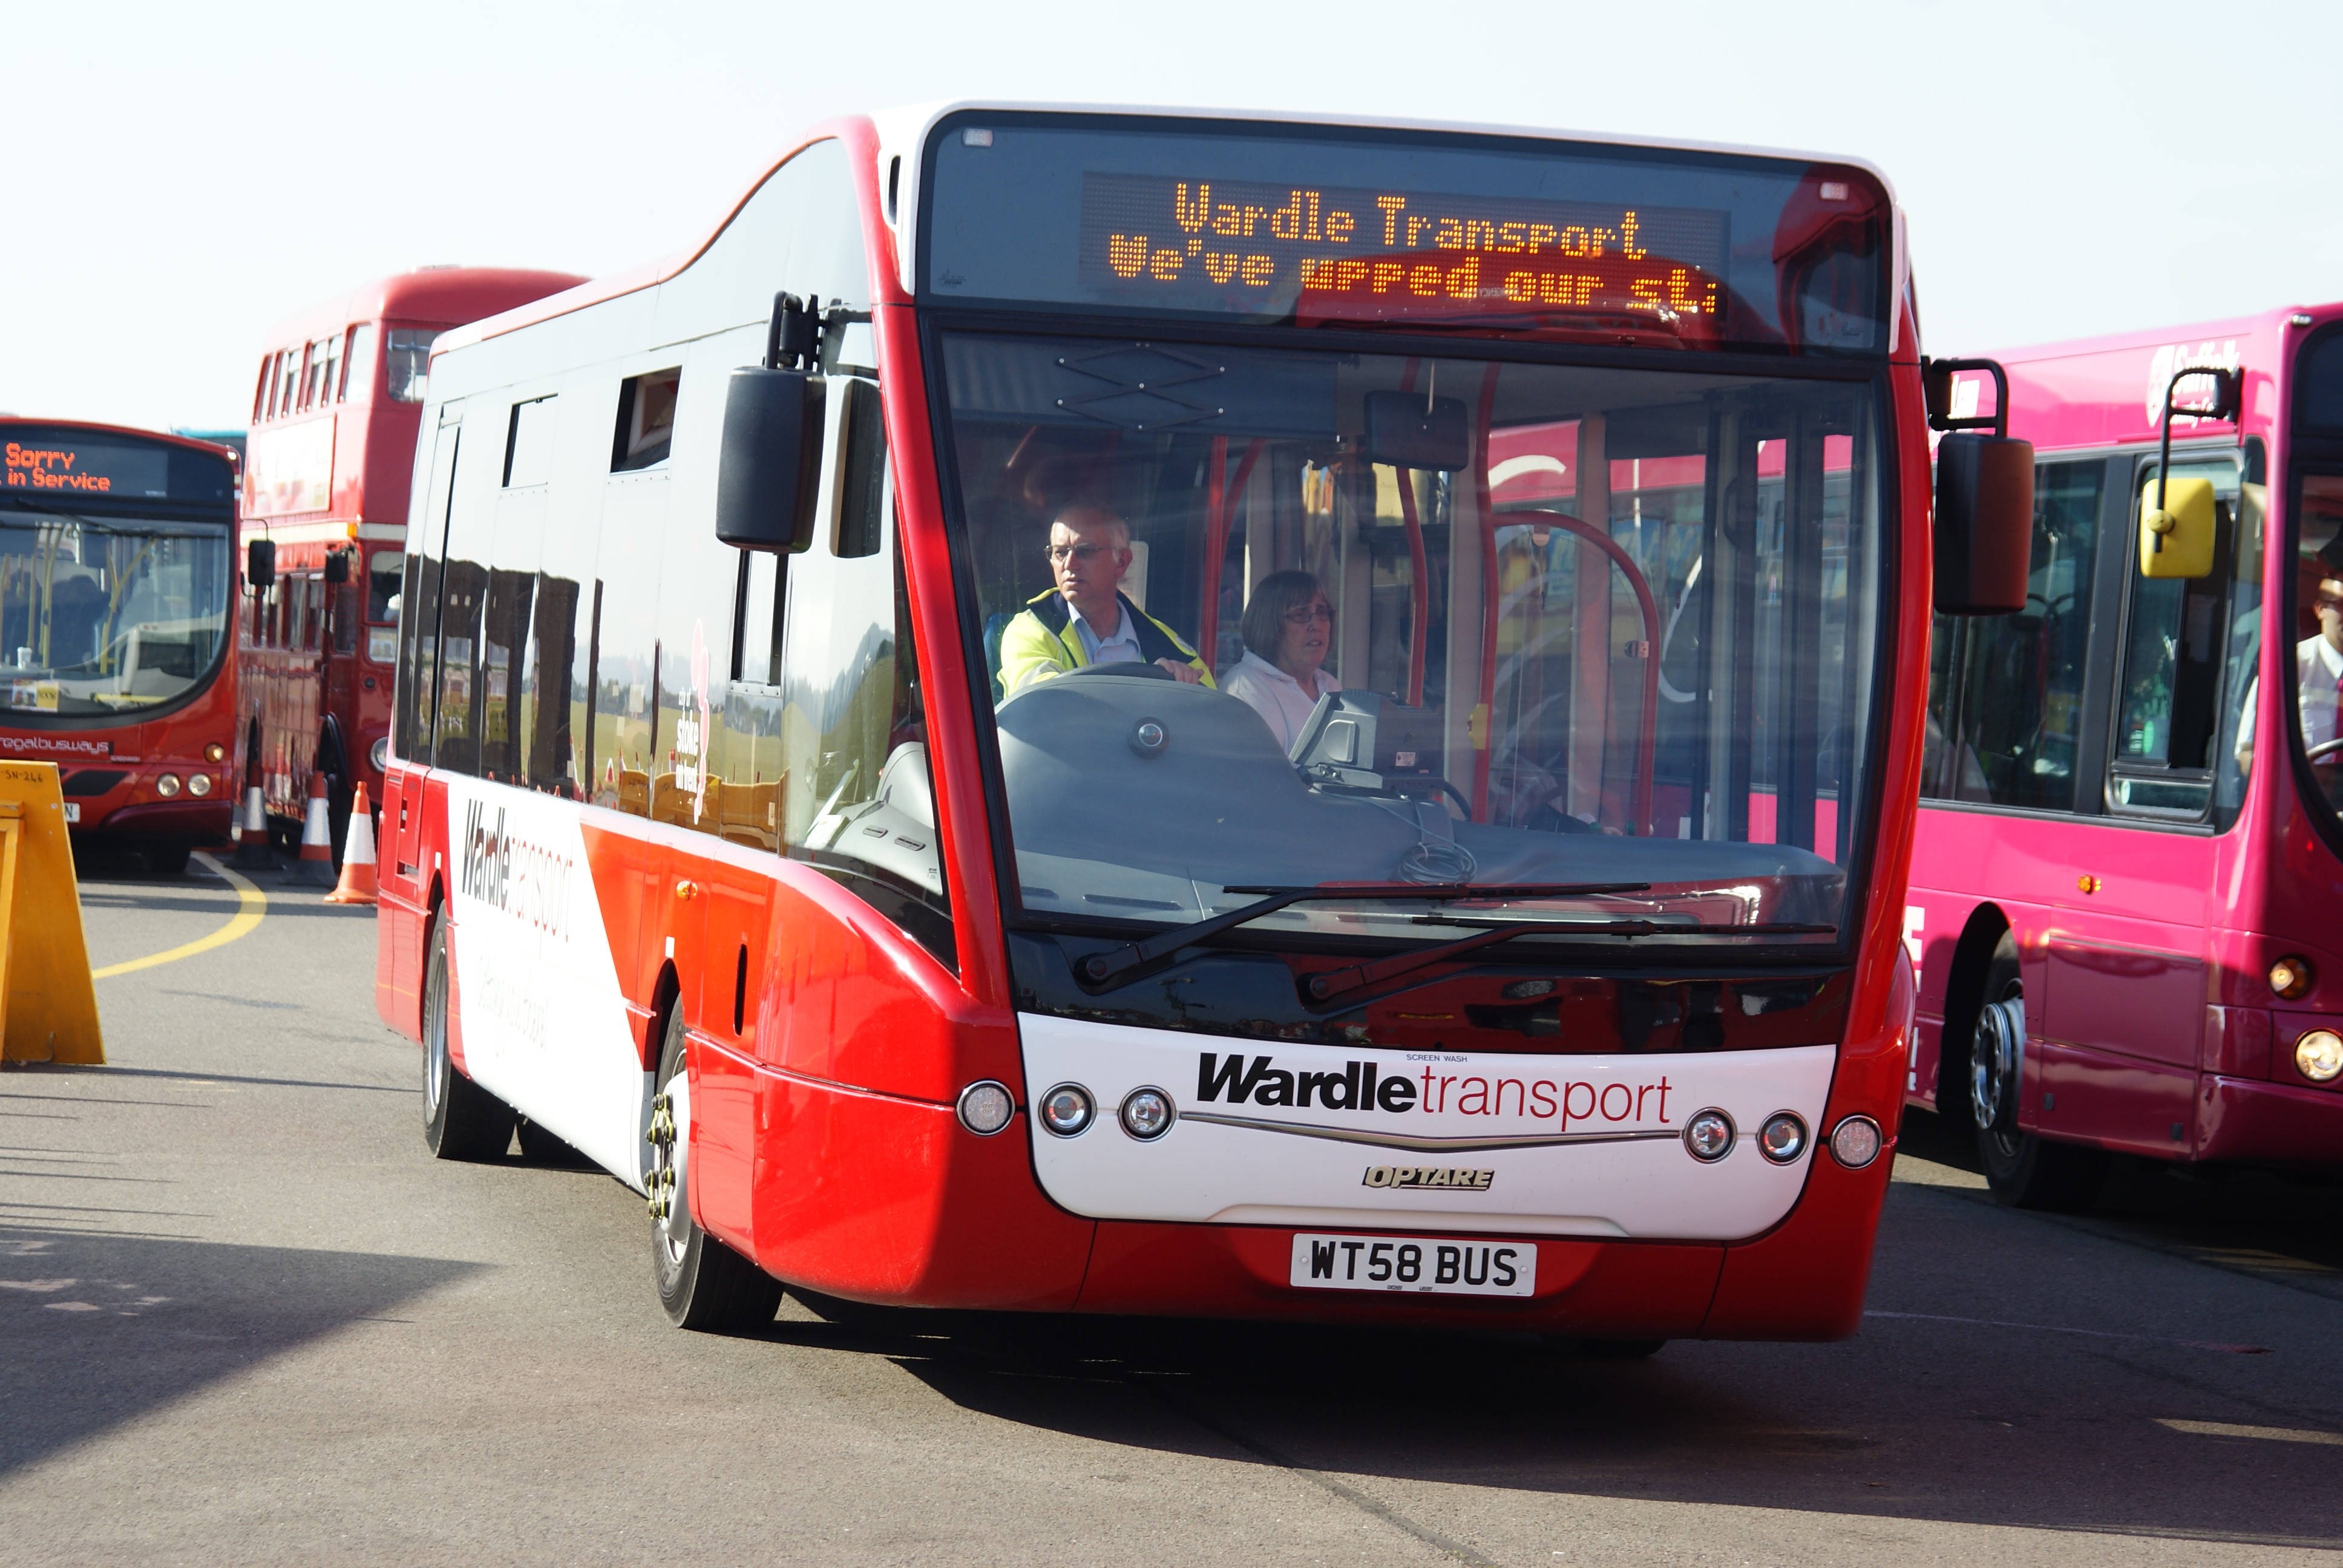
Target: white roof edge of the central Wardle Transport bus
[[903, 132]]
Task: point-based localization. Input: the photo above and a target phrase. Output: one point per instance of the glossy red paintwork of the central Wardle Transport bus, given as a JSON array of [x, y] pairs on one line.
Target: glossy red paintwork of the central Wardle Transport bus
[[824, 1133]]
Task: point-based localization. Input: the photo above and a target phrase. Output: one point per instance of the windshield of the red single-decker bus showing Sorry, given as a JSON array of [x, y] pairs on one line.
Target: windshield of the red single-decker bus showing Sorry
[[107, 615]]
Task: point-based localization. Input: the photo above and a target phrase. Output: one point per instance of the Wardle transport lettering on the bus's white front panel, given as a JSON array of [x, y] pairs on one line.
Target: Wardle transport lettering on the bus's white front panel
[[1362, 1086]]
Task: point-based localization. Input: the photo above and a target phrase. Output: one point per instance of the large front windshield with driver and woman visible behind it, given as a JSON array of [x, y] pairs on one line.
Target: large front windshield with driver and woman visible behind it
[[1278, 620]]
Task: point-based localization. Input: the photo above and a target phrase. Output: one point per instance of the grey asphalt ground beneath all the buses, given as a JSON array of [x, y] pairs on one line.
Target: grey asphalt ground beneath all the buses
[[247, 1321]]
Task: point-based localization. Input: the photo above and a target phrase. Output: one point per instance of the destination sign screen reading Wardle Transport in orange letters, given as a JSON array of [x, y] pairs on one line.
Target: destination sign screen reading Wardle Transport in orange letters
[[1318, 226]]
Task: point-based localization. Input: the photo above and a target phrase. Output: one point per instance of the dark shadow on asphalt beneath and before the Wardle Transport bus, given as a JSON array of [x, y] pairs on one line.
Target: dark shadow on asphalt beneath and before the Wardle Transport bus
[[1869, 1429]]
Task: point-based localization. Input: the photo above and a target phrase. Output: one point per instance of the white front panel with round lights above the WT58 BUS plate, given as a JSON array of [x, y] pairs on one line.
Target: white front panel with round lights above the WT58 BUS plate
[[1245, 1175]]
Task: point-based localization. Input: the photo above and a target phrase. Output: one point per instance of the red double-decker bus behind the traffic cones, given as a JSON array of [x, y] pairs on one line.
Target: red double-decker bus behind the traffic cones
[[332, 451]]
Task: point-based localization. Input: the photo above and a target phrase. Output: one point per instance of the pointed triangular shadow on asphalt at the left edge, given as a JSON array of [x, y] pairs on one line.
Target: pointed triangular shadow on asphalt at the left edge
[[104, 1328]]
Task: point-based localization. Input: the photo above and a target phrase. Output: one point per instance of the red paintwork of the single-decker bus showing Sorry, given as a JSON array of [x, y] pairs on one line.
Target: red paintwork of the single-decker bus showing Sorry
[[146, 749]]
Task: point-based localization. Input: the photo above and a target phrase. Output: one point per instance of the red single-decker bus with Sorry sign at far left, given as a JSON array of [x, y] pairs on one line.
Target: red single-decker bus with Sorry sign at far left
[[116, 587]]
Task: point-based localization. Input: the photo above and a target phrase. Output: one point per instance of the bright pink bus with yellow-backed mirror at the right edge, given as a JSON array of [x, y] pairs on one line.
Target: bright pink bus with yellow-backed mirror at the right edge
[[2124, 908]]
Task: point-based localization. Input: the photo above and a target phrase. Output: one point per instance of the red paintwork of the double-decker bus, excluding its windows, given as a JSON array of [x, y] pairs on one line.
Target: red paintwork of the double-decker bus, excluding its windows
[[299, 690]]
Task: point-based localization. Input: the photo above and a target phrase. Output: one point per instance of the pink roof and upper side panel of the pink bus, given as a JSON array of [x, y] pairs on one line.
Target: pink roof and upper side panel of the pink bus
[[2110, 390]]
